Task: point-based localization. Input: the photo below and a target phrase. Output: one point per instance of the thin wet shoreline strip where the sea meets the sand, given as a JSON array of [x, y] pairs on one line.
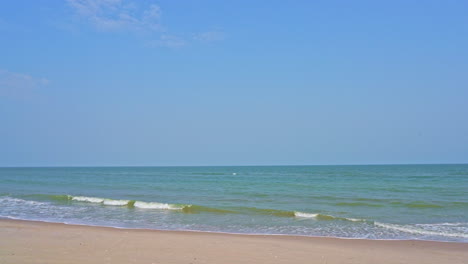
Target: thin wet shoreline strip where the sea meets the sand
[[223, 233]]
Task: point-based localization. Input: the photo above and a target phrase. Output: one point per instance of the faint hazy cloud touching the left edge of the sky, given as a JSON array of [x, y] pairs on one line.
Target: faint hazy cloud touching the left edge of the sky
[[17, 84]]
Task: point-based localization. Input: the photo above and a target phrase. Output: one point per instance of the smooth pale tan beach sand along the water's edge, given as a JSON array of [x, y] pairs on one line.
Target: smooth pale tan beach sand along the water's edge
[[38, 242]]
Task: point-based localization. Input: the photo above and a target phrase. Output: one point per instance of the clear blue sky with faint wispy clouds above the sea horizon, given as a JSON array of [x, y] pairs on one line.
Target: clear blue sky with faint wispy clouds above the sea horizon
[[126, 82]]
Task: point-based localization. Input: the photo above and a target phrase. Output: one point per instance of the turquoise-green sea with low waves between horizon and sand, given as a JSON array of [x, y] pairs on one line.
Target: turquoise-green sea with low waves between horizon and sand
[[428, 202]]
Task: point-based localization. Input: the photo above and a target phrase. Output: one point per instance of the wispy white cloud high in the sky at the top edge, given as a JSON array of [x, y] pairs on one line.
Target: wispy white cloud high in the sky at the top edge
[[118, 15]]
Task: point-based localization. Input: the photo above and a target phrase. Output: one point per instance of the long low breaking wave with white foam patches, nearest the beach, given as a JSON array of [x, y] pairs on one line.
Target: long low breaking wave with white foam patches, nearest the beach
[[458, 230]]
